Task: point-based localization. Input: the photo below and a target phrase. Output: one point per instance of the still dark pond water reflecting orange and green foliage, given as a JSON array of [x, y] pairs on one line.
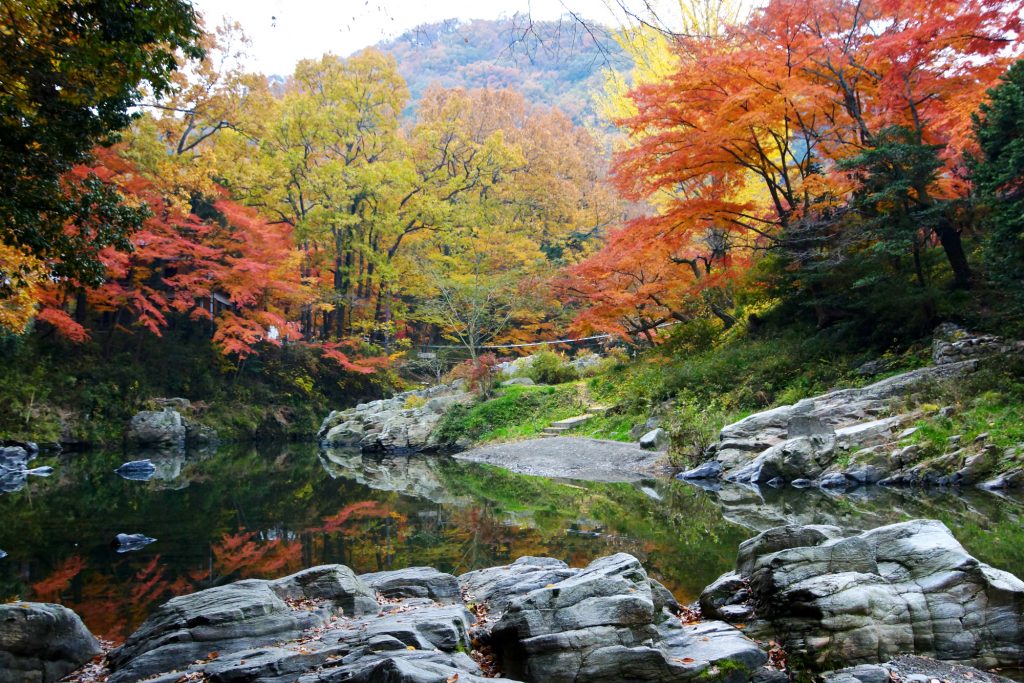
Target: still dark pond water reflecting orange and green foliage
[[266, 513]]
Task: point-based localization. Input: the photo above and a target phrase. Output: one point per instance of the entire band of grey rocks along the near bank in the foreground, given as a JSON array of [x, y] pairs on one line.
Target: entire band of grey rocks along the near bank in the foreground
[[801, 600]]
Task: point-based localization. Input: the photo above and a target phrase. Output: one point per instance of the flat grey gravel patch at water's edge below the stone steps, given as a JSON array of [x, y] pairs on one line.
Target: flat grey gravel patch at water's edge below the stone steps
[[569, 458]]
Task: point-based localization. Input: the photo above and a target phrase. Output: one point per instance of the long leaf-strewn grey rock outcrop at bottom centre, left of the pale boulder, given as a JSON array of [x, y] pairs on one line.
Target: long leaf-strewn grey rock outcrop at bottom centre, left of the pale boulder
[[537, 620]]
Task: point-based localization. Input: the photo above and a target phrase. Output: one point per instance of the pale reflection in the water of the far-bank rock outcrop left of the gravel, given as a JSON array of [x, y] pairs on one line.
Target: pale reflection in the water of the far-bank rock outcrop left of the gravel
[[412, 476]]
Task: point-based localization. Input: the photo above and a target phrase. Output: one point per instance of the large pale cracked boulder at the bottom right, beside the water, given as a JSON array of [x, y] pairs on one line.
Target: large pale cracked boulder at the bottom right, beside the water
[[908, 588]]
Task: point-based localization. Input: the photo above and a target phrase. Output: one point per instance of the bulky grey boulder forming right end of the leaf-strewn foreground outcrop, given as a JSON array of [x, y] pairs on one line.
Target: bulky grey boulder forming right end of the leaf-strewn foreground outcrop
[[602, 624]]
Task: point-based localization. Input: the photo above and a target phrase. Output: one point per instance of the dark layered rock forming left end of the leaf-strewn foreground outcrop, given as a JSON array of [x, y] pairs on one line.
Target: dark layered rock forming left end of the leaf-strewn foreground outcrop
[[246, 615]]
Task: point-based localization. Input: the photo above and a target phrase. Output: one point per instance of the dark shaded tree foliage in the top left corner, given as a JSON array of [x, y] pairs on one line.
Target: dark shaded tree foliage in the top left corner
[[73, 70]]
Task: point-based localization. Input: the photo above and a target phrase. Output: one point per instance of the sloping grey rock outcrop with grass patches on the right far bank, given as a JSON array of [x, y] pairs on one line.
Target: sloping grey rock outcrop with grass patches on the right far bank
[[859, 437]]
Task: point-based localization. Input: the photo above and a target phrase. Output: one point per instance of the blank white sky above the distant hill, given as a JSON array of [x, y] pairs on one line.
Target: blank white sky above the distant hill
[[285, 31]]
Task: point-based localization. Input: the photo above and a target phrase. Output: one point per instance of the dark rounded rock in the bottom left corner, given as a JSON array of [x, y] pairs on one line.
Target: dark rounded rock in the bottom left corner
[[42, 643]]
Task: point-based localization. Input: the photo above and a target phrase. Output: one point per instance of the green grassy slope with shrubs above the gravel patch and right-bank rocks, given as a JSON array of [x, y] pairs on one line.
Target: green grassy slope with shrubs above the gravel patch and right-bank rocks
[[698, 385]]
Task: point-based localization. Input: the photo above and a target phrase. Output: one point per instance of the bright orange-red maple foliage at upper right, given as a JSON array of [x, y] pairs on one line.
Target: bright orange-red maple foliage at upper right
[[744, 140]]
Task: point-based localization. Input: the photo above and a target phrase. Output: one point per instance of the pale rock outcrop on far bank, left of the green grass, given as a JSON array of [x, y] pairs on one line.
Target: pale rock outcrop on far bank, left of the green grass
[[405, 423]]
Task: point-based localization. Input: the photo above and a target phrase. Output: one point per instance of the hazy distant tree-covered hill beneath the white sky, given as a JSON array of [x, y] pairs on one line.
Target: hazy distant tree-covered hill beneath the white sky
[[550, 63]]
